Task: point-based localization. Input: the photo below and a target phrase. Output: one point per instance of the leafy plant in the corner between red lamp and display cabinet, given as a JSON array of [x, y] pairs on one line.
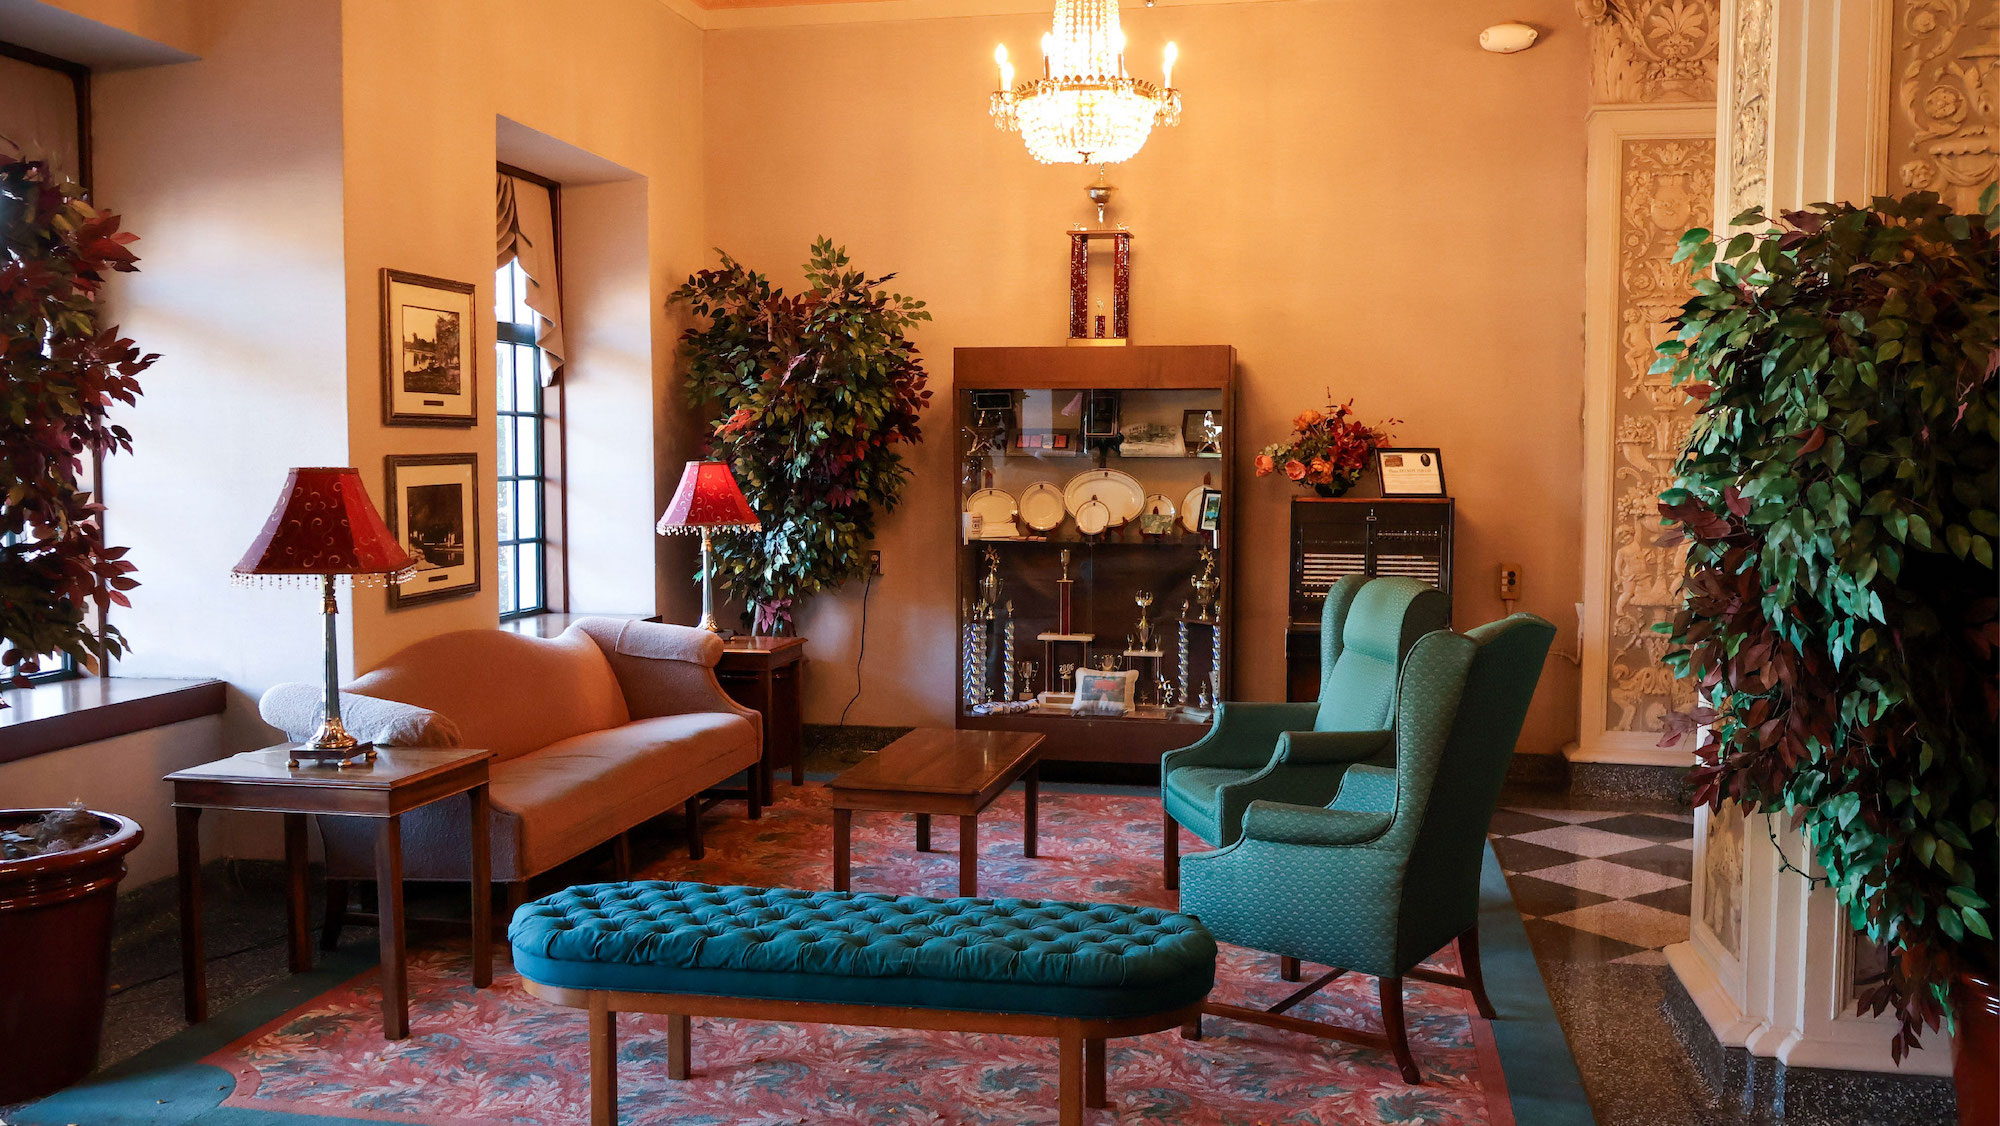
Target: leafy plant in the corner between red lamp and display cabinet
[[813, 397]]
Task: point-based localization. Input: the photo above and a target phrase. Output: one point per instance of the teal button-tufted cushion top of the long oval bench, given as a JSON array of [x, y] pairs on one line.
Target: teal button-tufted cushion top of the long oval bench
[[1059, 959]]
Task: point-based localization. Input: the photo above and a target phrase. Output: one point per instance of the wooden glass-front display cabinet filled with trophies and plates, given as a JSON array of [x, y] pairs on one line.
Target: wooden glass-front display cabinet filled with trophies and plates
[[1039, 413]]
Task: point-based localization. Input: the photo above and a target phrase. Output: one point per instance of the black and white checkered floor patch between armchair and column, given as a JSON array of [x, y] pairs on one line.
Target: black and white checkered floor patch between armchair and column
[[1599, 887]]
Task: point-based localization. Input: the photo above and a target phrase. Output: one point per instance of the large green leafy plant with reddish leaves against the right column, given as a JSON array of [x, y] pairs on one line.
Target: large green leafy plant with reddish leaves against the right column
[[1837, 499]]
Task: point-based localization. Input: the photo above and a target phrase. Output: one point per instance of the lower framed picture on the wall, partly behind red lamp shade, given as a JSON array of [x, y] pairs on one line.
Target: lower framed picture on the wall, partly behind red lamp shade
[[435, 511]]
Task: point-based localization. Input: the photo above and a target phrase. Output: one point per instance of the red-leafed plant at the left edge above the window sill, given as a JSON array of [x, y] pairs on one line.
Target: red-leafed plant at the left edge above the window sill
[[63, 375]]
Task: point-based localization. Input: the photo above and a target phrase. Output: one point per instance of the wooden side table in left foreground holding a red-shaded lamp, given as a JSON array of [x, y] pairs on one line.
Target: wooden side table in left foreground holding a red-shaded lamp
[[399, 781]]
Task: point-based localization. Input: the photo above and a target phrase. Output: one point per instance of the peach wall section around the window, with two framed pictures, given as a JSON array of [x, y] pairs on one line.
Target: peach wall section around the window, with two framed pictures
[[423, 91]]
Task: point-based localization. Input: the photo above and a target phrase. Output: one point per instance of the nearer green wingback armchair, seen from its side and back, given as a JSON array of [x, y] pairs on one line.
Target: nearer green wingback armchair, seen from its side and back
[[1391, 871]]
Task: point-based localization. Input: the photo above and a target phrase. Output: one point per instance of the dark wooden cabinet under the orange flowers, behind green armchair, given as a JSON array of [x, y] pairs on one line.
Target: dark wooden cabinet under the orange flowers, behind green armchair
[[1339, 537]]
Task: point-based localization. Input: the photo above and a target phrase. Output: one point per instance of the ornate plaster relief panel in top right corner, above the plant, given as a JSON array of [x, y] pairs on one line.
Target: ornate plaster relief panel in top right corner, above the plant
[[1947, 99]]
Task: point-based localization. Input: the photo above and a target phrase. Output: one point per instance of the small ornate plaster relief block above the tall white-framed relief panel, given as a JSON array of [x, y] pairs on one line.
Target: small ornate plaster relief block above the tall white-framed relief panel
[[1651, 51]]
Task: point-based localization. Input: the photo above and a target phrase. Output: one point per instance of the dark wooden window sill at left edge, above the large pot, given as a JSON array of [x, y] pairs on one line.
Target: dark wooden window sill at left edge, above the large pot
[[71, 713]]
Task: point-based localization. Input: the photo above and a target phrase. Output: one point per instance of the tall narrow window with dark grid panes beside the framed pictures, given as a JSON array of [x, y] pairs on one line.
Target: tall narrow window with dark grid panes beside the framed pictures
[[523, 421]]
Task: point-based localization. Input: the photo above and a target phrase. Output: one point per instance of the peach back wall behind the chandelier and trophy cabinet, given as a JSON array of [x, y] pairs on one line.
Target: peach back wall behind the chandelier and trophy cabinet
[[1359, 201]]
